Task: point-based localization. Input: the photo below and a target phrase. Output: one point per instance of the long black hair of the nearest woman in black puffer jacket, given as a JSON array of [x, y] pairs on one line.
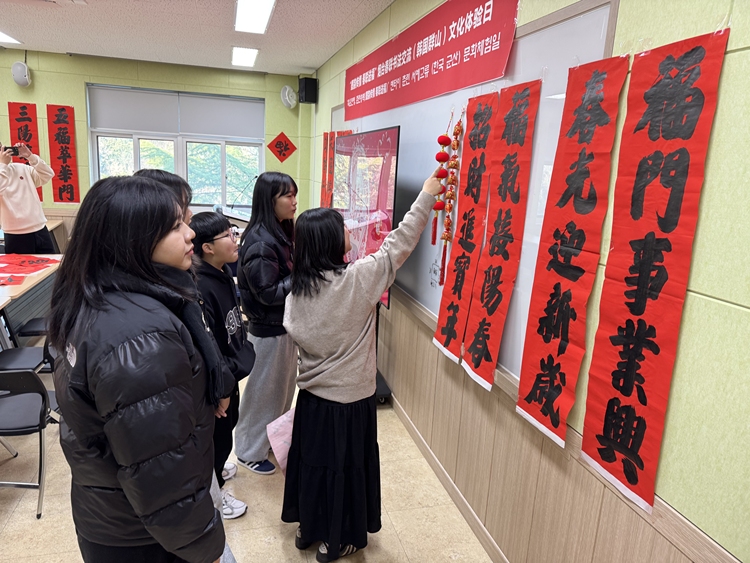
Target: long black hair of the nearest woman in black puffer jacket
[[119, 224]]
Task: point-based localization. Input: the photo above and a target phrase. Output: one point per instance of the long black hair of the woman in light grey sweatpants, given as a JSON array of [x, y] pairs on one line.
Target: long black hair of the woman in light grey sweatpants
[[268, 188]]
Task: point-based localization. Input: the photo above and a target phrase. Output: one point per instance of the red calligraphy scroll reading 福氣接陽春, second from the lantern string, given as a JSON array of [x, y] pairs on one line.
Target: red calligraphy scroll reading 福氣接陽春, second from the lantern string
[[498, 265]]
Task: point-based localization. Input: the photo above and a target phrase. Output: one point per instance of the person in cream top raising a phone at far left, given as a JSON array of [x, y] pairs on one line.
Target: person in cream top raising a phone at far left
[[21, 214]]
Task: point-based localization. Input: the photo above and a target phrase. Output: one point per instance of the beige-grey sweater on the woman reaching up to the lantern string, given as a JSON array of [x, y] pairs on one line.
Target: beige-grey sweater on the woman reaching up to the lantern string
[[335, 329]]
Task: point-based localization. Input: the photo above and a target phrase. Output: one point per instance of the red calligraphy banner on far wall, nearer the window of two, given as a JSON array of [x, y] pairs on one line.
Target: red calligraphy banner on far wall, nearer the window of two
[[61, 123]]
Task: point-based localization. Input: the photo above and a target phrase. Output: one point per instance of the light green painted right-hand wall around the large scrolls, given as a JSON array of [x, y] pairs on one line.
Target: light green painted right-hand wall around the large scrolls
[[704, 471]]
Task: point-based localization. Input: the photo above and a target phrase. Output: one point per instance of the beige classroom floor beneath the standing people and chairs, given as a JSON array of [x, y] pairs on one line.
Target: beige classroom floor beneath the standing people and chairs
[[420, 521]]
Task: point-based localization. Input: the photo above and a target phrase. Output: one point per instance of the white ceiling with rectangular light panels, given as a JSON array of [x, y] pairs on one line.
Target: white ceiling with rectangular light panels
[[301, 36]]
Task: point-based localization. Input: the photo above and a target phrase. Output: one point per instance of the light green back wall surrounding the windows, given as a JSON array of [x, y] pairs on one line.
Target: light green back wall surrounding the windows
[[61, 79]]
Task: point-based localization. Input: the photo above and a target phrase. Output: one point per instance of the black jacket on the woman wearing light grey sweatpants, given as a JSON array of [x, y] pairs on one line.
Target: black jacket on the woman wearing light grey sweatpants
[[264, 277]]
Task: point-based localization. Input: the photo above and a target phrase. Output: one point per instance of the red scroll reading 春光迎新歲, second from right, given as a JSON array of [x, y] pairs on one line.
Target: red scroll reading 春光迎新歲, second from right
[[569, 246]]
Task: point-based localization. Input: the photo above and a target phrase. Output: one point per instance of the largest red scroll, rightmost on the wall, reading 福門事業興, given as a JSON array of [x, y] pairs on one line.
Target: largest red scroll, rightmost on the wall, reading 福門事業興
[[671, 105]]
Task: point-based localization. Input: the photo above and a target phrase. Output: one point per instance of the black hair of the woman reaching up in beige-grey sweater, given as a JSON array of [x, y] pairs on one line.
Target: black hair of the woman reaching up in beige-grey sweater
[[320, 245]]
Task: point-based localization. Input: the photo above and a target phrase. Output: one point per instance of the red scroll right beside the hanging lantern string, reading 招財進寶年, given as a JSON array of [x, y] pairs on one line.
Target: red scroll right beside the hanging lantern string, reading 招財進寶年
[[480, 162]]
